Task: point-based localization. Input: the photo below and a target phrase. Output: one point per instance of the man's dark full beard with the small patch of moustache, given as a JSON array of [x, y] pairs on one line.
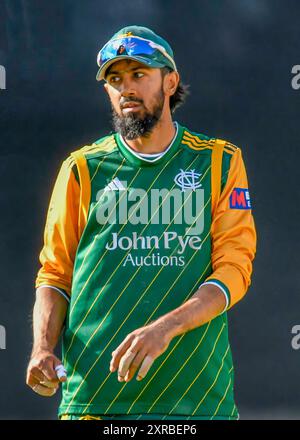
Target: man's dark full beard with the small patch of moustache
[[131, 126]]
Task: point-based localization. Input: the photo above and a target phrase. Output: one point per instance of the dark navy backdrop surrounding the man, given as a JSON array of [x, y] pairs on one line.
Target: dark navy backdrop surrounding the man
[[237, 56]]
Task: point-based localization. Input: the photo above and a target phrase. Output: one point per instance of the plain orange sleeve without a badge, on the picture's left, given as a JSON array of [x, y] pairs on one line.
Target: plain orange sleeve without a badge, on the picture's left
[[61, 235]]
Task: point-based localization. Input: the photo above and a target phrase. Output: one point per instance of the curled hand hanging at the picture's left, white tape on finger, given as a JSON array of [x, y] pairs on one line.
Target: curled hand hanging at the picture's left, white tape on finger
[[41, 374]]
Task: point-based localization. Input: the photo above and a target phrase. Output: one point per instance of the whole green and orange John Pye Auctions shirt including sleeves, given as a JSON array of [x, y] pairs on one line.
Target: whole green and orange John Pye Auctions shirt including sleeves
[[128, 238]]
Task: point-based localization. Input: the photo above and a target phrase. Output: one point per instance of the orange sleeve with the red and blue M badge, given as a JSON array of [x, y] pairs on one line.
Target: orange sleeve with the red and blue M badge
[[233, 235]]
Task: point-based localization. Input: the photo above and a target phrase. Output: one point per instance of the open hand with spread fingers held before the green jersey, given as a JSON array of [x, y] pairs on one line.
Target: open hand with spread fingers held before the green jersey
[[140, 347]]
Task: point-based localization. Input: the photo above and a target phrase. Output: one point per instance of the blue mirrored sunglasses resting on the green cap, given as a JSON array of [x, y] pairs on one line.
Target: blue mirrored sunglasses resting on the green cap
[[133, 47]]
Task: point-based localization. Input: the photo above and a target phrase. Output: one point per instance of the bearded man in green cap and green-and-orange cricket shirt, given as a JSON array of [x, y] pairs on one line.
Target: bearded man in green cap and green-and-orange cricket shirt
[[149, 240]]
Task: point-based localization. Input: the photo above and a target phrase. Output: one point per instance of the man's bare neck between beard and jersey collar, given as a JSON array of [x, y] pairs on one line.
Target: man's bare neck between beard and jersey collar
[[158, 140]]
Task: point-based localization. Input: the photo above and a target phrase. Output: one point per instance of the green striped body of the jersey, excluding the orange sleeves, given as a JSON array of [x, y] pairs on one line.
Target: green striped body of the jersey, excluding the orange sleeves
[[145, 249]]
